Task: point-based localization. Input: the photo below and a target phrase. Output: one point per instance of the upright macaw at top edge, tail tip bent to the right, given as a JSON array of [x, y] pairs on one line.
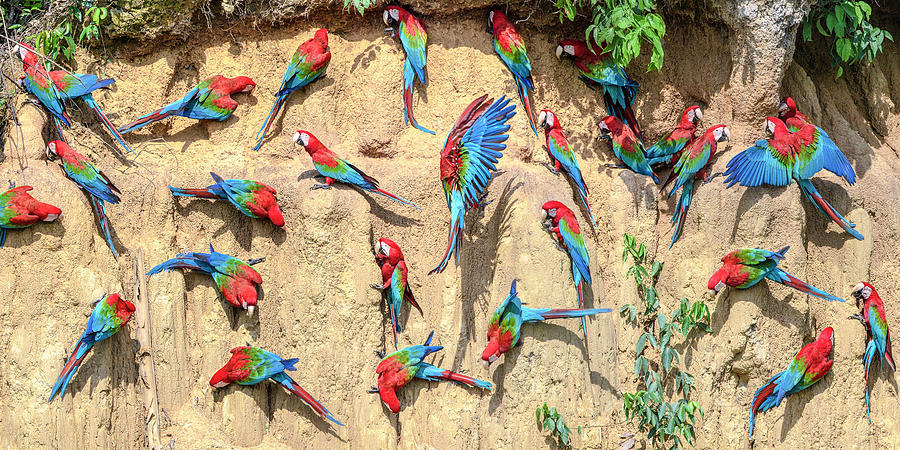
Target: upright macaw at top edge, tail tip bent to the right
[[413, 37]]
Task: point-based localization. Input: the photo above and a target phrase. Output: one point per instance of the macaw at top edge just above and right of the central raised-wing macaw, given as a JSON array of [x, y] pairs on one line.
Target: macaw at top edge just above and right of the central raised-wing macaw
[[510, 47]]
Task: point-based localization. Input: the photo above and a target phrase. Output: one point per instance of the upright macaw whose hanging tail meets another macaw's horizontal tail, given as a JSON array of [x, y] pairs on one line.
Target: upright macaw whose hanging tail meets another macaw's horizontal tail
[[560, 221]]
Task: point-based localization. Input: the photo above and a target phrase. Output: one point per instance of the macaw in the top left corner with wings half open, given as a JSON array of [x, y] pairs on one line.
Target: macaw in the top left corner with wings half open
[[53, 88]]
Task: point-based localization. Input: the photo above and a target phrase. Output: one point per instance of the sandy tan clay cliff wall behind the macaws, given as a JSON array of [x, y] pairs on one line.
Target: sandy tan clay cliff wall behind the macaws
[[734, 58]]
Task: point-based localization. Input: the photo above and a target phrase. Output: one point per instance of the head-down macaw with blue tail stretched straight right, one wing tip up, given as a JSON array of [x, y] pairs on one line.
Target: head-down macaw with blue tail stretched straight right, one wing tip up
[[505, 324]]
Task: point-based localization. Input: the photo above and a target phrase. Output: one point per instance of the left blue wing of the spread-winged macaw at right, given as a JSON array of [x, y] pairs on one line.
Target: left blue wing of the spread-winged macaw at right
[[760, 164]]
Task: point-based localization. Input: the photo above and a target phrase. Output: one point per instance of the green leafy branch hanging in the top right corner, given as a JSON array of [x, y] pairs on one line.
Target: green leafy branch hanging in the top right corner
[[847, 23]]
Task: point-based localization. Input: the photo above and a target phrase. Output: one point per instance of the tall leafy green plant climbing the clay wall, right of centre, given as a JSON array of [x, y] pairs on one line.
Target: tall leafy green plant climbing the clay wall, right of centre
[[664, 422]]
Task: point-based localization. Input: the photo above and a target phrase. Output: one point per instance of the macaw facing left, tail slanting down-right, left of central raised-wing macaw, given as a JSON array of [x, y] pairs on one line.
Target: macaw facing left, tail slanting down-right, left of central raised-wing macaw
[[333, 168]]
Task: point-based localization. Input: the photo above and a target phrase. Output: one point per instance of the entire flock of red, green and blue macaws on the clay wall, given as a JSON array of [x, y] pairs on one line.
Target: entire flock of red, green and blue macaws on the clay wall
[[795, 151]]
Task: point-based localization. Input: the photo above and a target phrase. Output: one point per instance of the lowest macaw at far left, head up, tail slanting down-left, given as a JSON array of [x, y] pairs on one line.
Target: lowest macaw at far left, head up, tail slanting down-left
[[108, 316]]
